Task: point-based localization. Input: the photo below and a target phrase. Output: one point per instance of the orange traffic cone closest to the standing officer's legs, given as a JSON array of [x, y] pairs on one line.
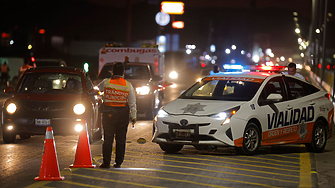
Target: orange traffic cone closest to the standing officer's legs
[[83, 158]]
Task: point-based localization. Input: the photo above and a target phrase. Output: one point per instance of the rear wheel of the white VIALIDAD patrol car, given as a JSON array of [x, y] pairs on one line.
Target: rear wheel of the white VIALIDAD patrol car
[[319, 138]]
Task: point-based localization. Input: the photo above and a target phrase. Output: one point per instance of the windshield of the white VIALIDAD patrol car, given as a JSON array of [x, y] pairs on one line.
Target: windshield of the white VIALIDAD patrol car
[[227, 90]]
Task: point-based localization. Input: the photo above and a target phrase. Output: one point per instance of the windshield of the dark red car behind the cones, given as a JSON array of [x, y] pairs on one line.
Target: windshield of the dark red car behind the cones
[[51, 83]]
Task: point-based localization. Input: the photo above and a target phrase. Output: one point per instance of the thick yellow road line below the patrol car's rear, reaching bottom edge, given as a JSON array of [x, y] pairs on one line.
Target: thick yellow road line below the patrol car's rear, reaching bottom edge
[[305, 170]]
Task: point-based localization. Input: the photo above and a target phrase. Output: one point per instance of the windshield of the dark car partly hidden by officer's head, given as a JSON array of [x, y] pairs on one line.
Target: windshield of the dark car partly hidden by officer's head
[[132, 72]]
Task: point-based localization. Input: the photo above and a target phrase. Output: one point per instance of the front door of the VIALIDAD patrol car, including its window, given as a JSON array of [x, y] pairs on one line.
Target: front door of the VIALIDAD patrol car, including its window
[[275, 121]]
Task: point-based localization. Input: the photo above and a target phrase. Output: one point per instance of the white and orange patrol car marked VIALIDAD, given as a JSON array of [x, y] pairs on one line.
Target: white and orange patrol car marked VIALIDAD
[[246, 110]]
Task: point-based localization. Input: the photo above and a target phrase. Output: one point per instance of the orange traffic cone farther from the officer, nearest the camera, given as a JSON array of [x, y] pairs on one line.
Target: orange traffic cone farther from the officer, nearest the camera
[[49, 170]]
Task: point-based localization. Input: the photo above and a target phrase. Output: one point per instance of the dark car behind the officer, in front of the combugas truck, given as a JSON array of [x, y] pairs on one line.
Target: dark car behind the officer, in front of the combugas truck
[[148, 90]]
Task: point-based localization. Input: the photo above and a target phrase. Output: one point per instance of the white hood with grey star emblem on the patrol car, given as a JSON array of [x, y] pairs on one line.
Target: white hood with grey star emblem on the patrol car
[[199, 107]]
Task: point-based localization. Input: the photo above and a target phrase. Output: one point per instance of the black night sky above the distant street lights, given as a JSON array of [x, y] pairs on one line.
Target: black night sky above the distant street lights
[[233, 22]]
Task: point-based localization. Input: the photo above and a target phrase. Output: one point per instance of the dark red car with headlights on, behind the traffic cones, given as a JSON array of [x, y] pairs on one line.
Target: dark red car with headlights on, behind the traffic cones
[[45, 97]]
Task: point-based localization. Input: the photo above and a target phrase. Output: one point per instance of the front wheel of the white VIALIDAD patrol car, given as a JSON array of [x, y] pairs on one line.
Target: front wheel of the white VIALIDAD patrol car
[[251, 139]]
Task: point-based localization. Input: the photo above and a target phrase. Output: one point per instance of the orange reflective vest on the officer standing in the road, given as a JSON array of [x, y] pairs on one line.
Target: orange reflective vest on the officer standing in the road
[[116, 91]]
